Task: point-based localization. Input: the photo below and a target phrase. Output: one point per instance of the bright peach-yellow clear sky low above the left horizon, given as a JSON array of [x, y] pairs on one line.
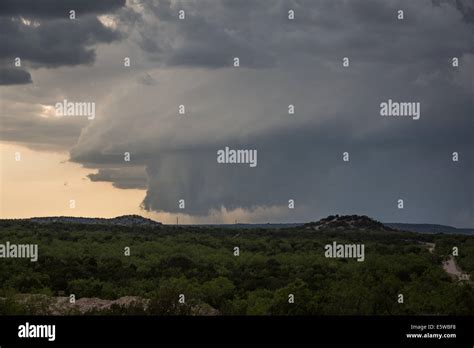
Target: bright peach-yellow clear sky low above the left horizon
[[43, 183]]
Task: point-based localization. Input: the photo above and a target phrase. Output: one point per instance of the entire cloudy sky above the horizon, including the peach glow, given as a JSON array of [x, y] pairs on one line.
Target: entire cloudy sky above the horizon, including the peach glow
[[283, 61]]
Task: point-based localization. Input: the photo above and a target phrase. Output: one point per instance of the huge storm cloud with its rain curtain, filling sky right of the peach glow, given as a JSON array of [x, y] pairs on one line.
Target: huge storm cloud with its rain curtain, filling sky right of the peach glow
[[282, 62]]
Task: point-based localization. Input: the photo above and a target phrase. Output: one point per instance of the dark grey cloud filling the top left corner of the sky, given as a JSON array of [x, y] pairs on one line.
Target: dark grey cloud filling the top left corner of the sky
[[42, 35]]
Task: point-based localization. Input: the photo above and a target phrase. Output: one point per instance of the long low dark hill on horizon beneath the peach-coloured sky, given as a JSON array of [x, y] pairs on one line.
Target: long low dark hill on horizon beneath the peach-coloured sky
[[125, 220]]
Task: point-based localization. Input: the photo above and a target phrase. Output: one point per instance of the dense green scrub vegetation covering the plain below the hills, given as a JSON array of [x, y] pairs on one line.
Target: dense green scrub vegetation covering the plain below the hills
[[89, 261]]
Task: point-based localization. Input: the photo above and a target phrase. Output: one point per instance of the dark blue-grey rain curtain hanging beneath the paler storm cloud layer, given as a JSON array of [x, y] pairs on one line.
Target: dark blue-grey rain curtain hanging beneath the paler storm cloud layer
[[405, 161]]
